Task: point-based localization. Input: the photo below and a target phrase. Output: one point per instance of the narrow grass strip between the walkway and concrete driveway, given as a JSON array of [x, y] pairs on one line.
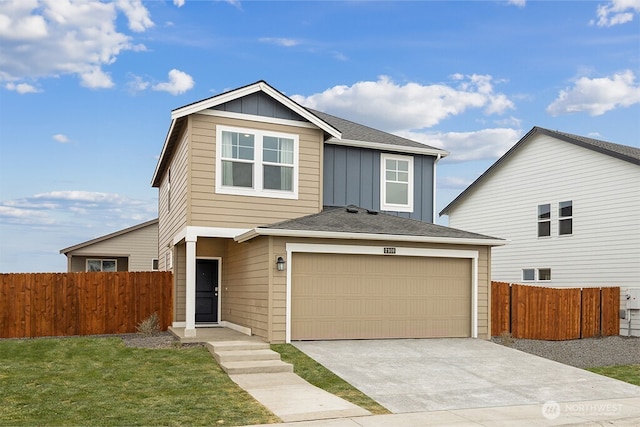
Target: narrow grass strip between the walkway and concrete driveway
[[321, 377]]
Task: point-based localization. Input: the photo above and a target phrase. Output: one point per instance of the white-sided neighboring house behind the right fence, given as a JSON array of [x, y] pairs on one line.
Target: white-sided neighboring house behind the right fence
[[569, 207]]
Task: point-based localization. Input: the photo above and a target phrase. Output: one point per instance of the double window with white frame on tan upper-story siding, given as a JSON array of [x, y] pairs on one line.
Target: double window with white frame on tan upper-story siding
[[256, 163]]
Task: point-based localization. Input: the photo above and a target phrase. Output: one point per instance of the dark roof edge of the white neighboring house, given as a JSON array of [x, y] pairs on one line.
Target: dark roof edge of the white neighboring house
[[622, 152]]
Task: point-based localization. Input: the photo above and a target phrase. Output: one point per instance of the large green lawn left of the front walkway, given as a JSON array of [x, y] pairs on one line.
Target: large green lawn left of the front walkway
[[100, 382]]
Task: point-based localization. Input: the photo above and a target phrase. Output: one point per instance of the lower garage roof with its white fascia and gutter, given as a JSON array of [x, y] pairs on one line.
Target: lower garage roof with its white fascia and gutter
[[353, 222]]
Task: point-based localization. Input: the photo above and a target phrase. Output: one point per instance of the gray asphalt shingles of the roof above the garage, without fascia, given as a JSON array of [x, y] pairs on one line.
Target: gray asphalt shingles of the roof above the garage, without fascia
[[353, 219]]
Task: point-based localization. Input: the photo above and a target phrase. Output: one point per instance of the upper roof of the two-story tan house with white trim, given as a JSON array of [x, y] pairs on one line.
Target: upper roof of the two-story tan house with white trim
[[339, 131]]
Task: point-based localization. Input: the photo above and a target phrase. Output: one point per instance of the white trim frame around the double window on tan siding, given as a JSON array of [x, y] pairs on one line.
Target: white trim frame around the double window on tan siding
[[257, 190]]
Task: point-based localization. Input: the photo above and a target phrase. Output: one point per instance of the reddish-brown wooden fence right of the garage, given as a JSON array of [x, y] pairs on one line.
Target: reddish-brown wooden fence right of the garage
[[553, 314]]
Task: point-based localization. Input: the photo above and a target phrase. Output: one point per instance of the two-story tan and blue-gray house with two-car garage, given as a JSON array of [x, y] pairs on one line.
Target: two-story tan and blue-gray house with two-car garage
[[292, 224]]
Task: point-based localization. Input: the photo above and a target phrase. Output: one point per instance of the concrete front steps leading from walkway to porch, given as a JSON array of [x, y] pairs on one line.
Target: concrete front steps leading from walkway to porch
[[247, 357]]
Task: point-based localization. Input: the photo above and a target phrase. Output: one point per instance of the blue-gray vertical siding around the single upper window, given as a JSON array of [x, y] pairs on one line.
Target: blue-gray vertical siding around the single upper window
[[351, 176]]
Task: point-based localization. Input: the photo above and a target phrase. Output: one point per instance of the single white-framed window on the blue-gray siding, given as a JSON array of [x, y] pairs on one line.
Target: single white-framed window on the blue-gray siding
[[396, 186]]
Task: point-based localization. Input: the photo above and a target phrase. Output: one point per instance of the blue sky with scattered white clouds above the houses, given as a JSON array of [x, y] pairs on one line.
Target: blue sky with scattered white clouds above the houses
[[86, 90]]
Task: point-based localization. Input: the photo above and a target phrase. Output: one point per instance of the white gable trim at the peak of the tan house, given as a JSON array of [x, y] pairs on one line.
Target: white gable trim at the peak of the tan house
[[248, 90]]
